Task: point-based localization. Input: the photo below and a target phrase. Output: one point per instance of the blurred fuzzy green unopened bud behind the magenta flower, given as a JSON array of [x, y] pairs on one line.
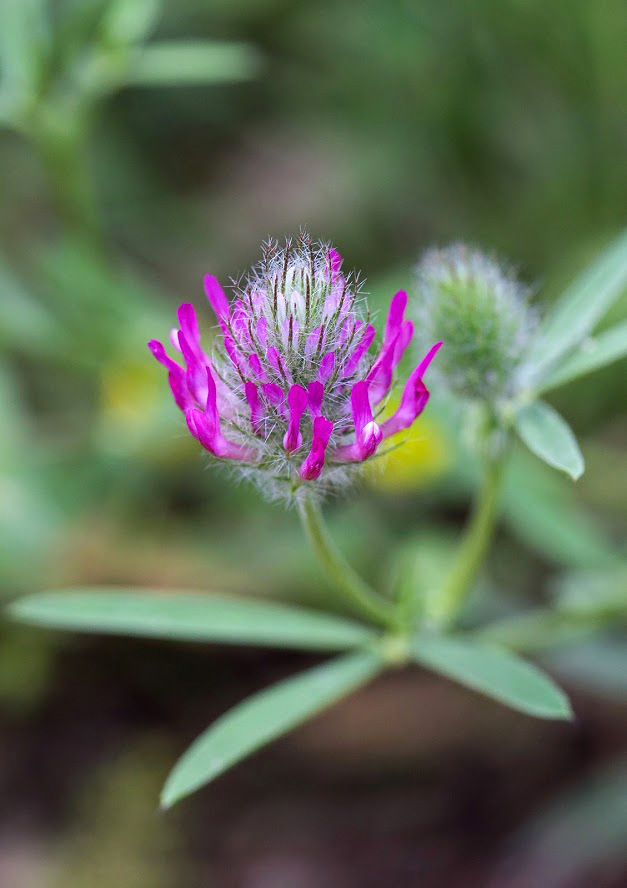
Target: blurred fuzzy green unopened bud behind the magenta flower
[[481, 311]]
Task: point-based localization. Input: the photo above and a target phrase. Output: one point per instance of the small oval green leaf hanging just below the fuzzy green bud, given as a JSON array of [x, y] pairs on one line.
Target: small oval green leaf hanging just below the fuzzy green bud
[[550, 437]]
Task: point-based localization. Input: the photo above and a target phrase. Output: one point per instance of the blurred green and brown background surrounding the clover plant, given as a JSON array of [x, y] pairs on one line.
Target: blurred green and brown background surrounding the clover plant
[[144, 145]]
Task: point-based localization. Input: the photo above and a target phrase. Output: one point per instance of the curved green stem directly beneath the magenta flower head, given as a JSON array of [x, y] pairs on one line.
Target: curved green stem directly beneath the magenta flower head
[[337, 568]]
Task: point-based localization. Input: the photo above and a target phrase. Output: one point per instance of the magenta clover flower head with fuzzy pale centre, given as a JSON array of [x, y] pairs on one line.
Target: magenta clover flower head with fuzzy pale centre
[[291, 393]]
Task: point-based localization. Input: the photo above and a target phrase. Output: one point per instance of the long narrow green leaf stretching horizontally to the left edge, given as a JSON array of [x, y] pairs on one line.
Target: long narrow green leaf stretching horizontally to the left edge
[[191, 617]]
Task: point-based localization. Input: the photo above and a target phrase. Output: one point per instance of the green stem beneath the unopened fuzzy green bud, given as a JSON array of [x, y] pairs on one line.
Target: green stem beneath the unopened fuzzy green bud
[[474, 545]]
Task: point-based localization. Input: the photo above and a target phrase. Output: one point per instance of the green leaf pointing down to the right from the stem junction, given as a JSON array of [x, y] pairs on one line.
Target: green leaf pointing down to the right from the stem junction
[[494, 672]]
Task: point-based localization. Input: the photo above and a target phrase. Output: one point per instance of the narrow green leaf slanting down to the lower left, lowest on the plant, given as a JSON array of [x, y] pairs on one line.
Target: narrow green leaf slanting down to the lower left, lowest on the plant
[[264, 717]]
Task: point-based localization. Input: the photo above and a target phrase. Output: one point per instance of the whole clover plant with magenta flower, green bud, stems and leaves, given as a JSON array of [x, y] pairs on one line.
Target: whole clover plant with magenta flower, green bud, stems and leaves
[[291, 394]]
